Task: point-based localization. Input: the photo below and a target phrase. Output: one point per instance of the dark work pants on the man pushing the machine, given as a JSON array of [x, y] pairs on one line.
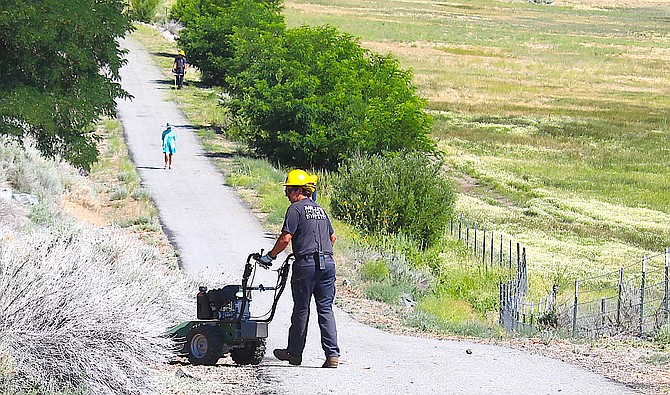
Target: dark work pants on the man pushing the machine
[[308, 280]]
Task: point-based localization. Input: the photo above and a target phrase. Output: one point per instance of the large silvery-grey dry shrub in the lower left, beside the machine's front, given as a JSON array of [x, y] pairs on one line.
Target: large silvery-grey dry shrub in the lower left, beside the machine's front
[[82, 310]]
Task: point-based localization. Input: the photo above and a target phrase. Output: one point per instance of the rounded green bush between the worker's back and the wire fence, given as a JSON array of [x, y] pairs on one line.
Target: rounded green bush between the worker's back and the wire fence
[[401, 194]]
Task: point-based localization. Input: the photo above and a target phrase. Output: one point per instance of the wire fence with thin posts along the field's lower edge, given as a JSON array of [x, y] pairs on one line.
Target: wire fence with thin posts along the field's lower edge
[[633, 300]]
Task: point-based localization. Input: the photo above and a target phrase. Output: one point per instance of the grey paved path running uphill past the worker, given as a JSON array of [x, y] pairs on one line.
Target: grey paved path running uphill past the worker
[[214, 232]]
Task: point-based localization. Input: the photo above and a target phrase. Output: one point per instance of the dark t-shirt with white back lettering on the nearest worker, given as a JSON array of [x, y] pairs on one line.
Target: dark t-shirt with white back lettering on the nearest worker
[[310, 226]]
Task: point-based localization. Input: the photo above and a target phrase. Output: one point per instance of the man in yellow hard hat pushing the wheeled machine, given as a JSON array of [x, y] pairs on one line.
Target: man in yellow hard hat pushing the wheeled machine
[[309, 231]]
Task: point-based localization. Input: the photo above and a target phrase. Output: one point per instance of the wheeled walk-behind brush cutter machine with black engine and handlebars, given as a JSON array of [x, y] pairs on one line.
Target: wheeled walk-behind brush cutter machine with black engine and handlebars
[[224, 324]]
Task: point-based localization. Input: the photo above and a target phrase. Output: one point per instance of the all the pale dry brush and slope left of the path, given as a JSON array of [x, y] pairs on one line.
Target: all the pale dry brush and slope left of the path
[[83, 309]]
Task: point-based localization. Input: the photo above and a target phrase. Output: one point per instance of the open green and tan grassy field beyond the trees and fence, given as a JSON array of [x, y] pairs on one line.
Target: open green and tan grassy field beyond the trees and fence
[[554, 118]]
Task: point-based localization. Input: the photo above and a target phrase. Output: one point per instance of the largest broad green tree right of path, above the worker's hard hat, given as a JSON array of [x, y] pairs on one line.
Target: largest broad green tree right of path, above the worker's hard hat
[[316, 97]]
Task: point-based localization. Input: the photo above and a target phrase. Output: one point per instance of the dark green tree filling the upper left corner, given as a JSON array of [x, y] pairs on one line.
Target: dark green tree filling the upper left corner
[[58, 72]]
